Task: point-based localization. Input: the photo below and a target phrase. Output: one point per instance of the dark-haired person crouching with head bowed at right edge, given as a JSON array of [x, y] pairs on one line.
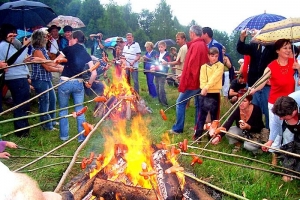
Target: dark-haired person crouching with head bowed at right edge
[[287, 109]]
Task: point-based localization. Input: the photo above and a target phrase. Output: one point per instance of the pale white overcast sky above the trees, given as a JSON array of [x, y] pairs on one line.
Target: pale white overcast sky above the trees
[[223, 15]]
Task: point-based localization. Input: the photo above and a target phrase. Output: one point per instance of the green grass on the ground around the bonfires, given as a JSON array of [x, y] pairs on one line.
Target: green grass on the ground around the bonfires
[[239, 180]]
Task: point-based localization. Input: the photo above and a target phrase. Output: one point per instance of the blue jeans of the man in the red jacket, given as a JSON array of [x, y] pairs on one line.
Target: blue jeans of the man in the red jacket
[[180, 109]]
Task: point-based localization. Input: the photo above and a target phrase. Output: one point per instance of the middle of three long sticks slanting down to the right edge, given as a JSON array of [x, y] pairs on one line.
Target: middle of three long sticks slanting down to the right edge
[[245, 158]]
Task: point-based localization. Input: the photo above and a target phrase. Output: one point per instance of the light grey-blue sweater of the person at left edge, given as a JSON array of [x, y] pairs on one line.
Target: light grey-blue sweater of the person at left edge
[[14, 72]]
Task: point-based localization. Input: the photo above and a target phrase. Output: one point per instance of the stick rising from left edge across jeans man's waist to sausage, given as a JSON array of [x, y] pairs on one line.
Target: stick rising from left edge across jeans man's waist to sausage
[[25, 102]]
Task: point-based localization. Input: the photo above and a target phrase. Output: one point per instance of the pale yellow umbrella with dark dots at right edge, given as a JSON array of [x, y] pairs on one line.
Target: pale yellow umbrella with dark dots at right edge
[[284, 29]]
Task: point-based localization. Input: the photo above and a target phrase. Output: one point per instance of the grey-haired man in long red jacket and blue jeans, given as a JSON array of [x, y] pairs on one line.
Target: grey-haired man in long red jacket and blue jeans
[[189, 84]]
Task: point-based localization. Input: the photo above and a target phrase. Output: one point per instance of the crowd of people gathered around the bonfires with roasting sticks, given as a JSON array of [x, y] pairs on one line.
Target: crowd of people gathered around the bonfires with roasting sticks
[[201, 68]]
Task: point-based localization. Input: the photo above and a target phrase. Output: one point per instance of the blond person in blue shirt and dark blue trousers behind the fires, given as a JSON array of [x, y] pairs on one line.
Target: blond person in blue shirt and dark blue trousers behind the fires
[[149, 59]]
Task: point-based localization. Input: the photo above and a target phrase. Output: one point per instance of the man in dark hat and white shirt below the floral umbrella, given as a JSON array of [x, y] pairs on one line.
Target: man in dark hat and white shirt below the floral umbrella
[[56, 42]]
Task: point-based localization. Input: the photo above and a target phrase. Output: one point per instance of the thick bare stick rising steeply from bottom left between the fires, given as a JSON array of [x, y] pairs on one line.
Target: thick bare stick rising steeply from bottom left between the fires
[[82, 145]]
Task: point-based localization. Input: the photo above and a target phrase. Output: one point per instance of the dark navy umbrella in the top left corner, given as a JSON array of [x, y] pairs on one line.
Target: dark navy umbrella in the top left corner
[[24, 14]]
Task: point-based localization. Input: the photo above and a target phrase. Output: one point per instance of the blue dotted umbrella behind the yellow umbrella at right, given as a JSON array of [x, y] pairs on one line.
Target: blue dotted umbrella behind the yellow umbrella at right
[[258, 21]]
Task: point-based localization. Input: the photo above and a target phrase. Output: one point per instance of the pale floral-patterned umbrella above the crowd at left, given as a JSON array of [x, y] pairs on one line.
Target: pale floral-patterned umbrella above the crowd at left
[[63, 21]]
